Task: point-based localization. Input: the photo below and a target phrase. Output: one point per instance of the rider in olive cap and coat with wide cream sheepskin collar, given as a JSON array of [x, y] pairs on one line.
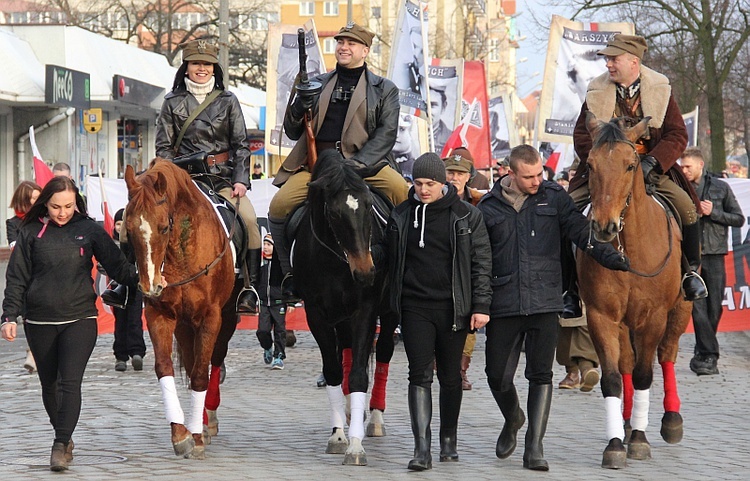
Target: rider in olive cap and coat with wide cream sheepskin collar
[[633, 91]]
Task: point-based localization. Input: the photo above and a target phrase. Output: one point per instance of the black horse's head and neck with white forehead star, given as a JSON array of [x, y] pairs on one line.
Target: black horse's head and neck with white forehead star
[[342, 202]]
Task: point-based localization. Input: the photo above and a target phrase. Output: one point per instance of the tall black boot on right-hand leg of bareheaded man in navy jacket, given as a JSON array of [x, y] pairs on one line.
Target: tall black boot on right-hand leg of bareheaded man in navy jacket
[[540, 399]]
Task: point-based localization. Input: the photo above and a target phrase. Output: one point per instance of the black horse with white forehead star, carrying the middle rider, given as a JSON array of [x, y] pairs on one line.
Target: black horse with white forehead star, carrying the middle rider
[[344, 294]]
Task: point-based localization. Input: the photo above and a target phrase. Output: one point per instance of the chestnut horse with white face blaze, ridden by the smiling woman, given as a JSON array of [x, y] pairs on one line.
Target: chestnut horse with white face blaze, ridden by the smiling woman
[[176, 235]]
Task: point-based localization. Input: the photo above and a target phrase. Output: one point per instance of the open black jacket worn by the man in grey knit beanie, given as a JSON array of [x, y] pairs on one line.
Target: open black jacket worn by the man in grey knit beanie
[[470, 250]]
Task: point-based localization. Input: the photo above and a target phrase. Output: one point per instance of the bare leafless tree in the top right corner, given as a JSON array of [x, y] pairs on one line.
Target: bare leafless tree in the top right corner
[[718, 29]]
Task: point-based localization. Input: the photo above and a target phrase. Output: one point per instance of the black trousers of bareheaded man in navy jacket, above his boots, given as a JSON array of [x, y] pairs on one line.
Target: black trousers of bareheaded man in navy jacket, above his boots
[[506, 335]]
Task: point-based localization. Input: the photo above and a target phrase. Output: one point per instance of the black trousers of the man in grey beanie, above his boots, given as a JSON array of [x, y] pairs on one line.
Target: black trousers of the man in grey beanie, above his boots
[[429, 339]]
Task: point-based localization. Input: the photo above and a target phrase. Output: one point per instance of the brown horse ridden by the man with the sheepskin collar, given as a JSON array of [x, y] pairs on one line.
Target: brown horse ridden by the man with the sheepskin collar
[[632, 315]]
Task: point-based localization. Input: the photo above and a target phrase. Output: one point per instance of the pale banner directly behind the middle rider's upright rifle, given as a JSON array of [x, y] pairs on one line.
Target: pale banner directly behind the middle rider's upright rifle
[[282, 70]]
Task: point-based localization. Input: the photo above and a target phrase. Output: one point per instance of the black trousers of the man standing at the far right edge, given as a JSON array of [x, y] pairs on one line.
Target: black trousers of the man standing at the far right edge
[[707, 312]]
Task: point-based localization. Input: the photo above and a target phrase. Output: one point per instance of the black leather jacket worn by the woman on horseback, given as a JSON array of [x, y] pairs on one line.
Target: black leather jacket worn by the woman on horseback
[[219, 128]]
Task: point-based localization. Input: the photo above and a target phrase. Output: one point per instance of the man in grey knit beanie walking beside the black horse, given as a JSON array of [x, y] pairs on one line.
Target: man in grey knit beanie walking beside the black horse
[[440, 260]]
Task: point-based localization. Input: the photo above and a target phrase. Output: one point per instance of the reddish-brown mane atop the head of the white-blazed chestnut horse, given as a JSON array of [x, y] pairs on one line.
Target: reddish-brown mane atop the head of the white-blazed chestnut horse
[[177, 183]]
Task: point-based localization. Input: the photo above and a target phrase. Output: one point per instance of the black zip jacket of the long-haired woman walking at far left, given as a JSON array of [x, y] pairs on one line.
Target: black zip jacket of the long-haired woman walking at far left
[[48, 279]]
